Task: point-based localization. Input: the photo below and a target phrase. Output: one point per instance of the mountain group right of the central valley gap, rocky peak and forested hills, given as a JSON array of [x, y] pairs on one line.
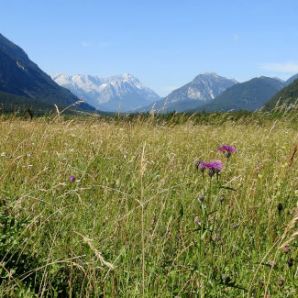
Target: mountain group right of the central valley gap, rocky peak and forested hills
[[219, 94]]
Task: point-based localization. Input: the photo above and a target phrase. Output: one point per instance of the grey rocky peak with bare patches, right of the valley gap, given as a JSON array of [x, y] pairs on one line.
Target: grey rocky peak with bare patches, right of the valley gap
[[202, 89]]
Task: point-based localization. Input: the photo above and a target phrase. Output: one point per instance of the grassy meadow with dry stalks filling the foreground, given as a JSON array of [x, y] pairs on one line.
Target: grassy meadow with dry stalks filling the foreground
[[137, 219]]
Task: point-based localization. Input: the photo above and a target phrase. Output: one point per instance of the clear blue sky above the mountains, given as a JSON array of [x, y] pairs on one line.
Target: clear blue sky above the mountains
[[163, 43]]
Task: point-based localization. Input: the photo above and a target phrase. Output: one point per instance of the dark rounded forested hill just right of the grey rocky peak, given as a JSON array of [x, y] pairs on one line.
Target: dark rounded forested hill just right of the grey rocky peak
[[249, 96]]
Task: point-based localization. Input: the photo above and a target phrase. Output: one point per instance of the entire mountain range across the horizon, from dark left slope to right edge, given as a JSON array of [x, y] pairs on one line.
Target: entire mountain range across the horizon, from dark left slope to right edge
[[24, 84]]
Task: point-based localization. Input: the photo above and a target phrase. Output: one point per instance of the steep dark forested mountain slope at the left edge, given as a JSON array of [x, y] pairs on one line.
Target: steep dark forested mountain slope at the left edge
[[21, 77]]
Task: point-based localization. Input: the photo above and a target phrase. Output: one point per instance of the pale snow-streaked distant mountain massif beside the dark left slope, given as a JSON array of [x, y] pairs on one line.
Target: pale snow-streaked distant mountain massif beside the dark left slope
[[121, 93]]
